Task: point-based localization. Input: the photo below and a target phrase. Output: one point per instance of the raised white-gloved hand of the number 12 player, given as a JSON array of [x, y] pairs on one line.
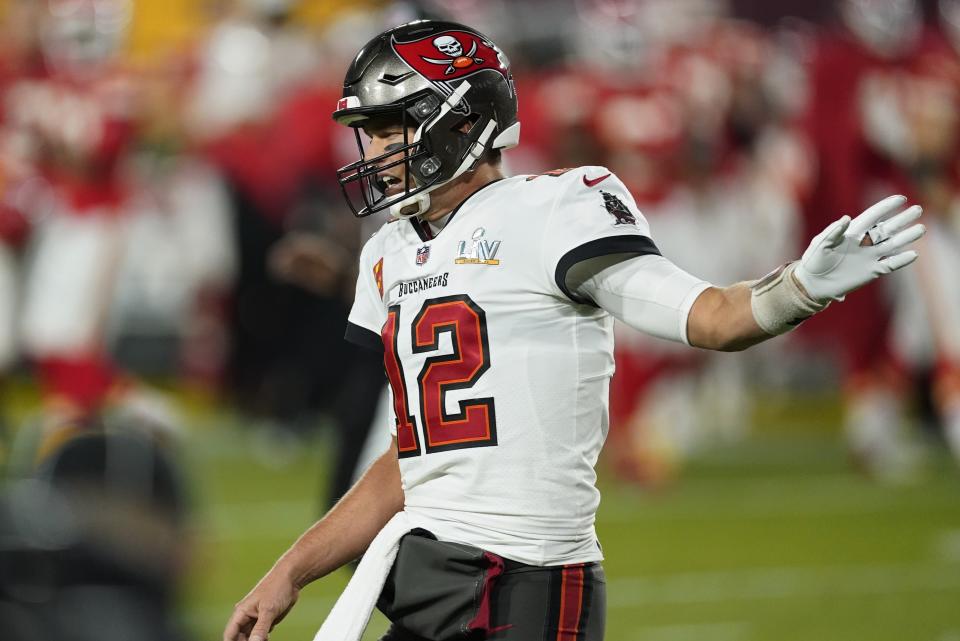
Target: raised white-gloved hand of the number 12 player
[[850, 253]]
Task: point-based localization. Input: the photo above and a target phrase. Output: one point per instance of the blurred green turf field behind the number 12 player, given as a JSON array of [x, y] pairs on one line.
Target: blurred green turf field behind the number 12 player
[[774, 539]]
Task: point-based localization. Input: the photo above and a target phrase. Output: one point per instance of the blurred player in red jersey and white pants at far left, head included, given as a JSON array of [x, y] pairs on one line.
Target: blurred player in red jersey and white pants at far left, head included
[[69, 121]]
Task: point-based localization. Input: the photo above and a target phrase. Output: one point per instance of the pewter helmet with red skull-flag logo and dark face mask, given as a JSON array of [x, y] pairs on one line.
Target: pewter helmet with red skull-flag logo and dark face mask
[[436, 77]]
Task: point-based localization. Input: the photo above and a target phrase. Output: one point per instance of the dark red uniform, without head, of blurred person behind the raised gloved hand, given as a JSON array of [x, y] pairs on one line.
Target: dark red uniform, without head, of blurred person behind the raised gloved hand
[[865, 107]]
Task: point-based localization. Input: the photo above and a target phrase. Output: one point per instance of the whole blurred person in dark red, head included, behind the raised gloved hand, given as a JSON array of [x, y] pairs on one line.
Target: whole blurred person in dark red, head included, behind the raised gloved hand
[[874, 83]]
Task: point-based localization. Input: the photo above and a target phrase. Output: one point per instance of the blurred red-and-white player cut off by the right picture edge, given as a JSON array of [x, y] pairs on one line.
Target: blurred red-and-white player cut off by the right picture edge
[[918, 131]]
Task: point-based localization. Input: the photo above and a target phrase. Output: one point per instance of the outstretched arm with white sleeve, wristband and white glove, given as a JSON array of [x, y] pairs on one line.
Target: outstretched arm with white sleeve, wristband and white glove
[[653, 295]]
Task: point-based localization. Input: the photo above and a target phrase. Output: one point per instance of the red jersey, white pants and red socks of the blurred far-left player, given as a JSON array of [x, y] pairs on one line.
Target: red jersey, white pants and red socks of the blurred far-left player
[[78, 131]]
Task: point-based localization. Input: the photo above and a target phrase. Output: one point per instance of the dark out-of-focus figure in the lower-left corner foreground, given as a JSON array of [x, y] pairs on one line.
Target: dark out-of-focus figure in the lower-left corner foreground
[[94, 545]]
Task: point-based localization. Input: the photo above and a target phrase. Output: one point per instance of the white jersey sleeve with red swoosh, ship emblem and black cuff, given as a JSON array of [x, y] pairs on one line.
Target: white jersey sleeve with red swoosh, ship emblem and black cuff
[[593, 216]]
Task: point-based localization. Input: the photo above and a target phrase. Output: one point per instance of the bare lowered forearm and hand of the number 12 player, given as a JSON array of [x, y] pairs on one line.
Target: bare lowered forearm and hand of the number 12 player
[[338, 538]]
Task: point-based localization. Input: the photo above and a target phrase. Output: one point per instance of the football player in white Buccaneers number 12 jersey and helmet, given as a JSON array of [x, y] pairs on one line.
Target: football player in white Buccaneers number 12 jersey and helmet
[[492, 299]]
